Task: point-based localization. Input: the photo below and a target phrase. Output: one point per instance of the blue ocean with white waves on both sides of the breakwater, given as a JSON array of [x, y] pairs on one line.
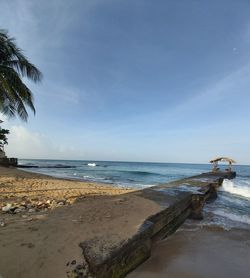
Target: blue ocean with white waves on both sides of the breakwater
[[230, 210]]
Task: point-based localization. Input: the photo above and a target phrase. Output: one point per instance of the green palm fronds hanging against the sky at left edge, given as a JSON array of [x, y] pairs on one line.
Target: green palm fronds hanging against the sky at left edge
[[15, 96]]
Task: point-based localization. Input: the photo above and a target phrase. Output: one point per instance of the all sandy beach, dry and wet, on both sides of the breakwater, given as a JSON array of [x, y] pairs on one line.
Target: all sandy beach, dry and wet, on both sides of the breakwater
[[49, 218]]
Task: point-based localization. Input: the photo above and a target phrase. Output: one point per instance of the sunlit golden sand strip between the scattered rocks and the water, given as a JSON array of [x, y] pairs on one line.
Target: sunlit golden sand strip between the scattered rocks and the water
[[19, 186]]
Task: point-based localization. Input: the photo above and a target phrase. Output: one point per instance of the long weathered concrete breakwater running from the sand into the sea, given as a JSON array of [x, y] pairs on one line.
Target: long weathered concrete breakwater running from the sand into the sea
[[177, 200]]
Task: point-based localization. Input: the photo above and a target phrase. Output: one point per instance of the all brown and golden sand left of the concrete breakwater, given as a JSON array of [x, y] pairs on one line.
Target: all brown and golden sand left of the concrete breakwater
[[45, 243]]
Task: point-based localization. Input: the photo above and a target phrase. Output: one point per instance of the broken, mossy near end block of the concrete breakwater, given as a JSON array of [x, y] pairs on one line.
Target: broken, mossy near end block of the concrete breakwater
[[129, 254]]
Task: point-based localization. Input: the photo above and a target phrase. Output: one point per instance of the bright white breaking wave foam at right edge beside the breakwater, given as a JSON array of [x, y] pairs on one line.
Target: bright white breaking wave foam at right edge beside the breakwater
[[239, 188]]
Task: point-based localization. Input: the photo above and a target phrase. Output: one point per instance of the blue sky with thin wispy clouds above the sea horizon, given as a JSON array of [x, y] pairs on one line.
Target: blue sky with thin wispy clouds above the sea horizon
[[144, 80]]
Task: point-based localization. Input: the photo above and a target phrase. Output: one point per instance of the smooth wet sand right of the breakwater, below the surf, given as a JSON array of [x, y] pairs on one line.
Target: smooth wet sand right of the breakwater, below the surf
[[206, 252]]
